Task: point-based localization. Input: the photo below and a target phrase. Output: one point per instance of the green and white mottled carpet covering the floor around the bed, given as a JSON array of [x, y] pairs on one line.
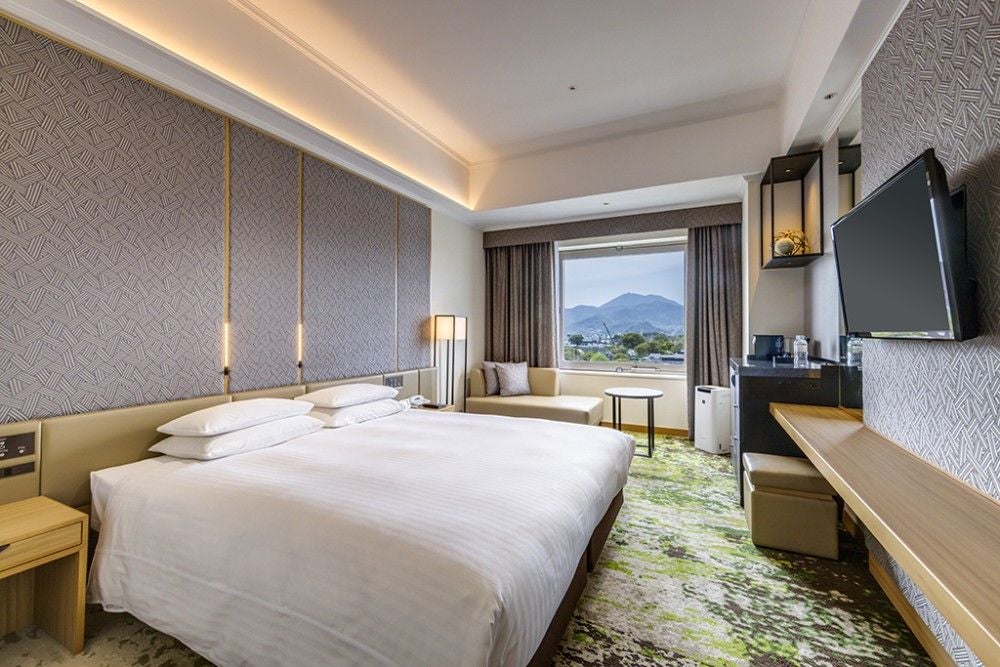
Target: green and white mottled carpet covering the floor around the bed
[[679, 584]]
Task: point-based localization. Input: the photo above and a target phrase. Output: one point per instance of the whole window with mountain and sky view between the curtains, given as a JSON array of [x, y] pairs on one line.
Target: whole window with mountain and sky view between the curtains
[[622, 307]]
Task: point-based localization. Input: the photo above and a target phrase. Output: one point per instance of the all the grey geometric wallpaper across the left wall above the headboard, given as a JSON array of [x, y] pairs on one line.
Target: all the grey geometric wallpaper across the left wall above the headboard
[[112, 247]]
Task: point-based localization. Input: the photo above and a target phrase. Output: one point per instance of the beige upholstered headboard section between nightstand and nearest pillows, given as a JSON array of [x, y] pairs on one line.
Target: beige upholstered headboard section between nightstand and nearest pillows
[[76, 445]]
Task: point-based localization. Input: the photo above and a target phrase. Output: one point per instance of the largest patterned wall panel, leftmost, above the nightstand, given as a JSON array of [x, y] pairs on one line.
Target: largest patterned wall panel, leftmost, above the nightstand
[[111, 236]]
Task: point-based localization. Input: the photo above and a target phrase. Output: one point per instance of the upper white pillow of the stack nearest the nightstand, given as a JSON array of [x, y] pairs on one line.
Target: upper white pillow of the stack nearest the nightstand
[[227, 417]]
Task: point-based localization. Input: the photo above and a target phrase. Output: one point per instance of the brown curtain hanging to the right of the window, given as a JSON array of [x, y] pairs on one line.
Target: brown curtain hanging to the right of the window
[[714, 308]]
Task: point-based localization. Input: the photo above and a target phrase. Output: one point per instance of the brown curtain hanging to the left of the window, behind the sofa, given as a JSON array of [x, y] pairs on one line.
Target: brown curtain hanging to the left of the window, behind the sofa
[[520, 304]]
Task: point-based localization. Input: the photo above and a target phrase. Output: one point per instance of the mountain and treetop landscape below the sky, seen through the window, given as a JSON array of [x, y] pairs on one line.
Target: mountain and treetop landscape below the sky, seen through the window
[[637, 328]]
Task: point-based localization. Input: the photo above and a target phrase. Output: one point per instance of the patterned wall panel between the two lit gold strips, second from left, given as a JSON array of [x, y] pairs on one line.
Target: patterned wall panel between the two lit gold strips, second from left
[[264, 260]]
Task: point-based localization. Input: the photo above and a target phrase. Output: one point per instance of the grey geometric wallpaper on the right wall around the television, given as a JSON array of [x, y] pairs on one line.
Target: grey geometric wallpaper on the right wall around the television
[[936, 83]]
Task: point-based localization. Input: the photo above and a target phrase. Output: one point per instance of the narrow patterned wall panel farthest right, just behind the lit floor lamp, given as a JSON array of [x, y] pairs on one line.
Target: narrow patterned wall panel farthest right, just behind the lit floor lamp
[[414, 293]]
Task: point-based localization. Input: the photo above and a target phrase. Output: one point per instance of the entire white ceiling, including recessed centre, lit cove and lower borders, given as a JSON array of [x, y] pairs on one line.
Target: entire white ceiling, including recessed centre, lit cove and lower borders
[[465, 104]]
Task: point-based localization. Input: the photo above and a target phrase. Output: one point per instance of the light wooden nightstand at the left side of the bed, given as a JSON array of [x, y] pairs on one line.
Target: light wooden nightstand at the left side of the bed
[[43, 569]]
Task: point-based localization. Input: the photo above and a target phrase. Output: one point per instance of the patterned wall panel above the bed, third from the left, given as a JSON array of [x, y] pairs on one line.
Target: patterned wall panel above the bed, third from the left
[[349, 274]]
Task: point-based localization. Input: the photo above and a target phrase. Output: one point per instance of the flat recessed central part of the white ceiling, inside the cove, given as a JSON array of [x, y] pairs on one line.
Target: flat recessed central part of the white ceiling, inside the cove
[[489, 79]]
